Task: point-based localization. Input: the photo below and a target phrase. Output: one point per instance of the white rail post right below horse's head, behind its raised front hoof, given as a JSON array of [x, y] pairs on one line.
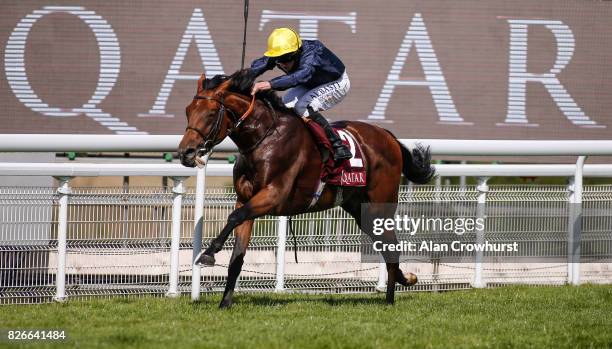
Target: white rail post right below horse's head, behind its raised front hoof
[[198, 222]]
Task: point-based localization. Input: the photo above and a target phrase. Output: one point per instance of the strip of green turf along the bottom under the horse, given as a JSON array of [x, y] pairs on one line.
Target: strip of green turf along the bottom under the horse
[[511, 317]]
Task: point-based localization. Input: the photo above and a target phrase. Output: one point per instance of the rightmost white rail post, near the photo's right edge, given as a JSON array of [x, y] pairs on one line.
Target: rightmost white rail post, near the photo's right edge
[[575, 224]]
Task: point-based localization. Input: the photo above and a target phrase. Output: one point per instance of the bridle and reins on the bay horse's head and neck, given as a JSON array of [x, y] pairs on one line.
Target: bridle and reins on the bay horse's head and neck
[[209, 140]]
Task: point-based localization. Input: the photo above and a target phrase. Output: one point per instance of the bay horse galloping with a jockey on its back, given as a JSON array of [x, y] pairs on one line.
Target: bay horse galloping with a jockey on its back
[[278, 169]]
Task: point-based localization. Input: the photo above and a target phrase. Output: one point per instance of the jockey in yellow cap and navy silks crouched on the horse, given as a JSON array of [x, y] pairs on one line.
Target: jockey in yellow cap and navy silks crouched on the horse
[[315, 77]]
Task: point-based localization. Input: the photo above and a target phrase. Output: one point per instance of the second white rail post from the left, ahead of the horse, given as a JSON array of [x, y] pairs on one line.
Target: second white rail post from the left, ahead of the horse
[[178, 189]]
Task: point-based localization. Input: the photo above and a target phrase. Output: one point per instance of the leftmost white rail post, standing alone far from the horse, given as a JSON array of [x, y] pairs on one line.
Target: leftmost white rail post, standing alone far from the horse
[[62, 229]]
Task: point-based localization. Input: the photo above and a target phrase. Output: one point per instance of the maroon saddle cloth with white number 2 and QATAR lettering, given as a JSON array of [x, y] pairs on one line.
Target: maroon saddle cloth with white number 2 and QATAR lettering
[[348, 173]]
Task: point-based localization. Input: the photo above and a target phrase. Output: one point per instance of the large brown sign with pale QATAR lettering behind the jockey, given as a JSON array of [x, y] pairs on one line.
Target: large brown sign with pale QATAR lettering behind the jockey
[[428, 69]]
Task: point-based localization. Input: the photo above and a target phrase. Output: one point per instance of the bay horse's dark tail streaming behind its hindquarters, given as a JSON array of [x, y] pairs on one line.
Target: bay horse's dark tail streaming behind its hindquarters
[[416, 165]]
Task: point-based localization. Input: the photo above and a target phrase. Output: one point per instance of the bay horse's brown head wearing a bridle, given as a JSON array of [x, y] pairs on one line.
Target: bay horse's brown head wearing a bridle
[[209, 118]]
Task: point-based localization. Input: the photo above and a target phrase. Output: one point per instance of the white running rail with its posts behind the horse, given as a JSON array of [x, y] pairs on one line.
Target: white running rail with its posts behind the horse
[[65, 171]]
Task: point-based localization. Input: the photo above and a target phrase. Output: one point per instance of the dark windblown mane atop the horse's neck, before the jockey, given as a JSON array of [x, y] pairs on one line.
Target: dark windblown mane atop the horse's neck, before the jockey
[[241, 82]]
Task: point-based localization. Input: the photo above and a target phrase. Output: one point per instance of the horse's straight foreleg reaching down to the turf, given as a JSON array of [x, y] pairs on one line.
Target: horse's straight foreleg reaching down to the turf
[[242, 237]]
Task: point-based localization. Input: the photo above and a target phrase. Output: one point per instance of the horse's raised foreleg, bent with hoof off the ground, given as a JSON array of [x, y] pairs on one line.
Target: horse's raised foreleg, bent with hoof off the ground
[[261, 204]]
